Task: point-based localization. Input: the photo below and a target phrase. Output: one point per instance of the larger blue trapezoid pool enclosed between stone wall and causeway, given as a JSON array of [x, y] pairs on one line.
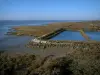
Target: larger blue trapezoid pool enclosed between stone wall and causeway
[[69, 35]]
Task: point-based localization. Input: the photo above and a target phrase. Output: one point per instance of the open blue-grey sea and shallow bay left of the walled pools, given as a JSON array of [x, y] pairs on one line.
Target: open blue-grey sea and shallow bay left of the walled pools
[[16, 44]]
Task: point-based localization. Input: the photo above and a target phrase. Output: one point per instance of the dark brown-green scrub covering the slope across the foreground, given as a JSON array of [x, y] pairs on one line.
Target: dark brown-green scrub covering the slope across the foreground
[[77, 62]]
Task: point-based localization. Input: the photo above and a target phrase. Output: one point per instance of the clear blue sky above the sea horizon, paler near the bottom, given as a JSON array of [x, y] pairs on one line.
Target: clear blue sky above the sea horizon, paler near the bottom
[[49, 9]]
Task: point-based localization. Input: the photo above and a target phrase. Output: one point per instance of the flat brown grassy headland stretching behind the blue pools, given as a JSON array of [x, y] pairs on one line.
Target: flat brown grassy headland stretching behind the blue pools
[[41, 30]]
